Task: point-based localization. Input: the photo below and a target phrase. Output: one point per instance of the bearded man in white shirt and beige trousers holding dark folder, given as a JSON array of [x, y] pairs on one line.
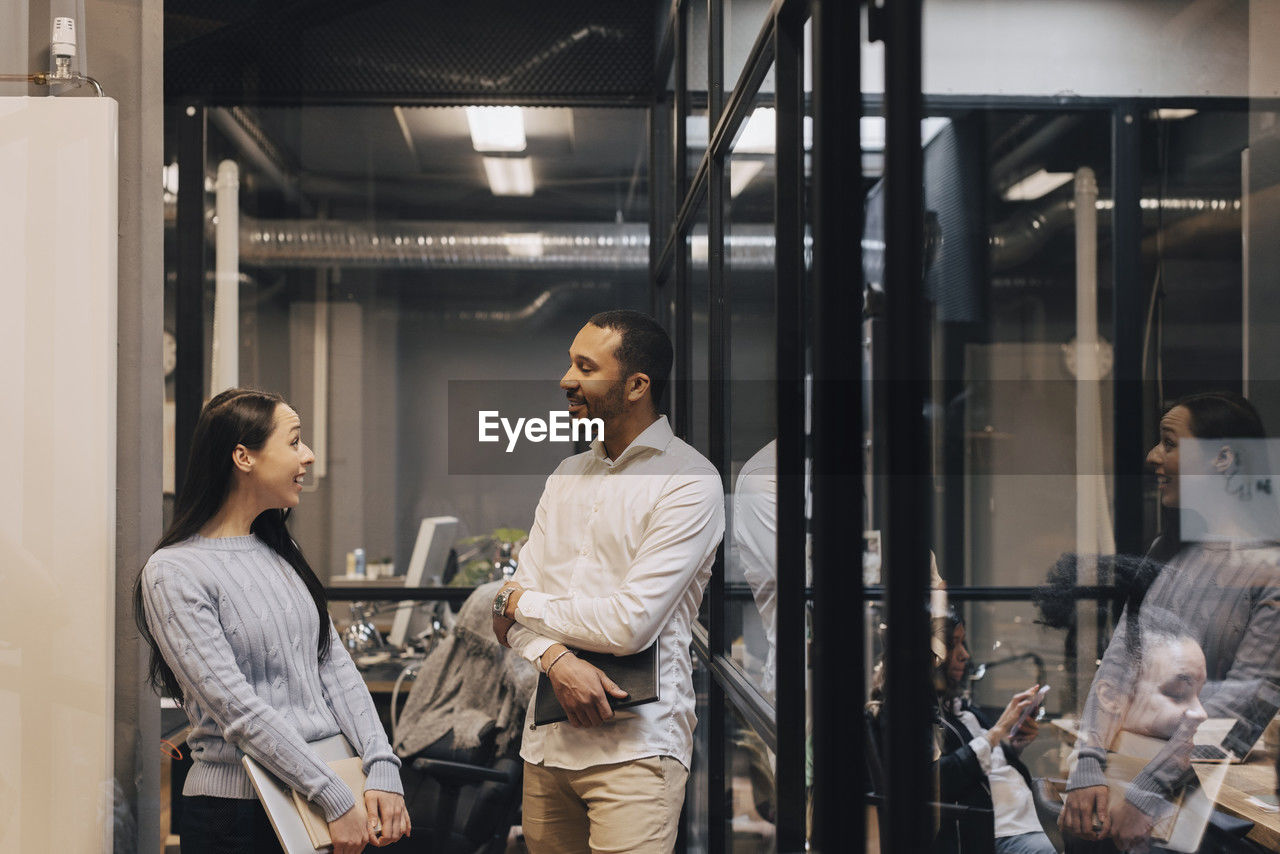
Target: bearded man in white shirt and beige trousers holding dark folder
[[619, 558]]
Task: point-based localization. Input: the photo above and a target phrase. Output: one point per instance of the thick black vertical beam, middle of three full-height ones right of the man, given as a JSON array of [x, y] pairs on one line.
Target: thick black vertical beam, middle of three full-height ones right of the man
[[839, 764]]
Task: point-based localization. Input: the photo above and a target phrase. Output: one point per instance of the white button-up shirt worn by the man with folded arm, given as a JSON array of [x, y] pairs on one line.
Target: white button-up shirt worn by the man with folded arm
[[619, 559]]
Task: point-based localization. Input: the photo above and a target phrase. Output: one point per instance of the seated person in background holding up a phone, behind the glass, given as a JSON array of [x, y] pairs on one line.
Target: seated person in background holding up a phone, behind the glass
[[979, 764]]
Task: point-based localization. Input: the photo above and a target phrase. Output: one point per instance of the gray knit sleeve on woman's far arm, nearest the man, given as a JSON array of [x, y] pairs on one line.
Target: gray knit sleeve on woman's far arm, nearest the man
[[351, 704]]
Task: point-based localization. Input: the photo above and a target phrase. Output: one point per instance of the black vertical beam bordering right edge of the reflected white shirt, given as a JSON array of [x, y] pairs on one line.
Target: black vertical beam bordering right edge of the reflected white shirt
[[789, 217]]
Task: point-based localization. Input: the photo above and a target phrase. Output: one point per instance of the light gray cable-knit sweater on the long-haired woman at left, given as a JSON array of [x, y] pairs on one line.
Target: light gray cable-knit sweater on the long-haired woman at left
[[239, 628]]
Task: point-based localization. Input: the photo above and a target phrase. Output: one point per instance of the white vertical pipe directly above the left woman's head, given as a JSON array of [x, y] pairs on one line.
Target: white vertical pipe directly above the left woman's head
[[226, 357]]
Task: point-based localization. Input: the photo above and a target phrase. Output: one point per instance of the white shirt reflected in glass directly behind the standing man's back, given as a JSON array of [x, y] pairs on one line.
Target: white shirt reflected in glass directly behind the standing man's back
[[756, 544]]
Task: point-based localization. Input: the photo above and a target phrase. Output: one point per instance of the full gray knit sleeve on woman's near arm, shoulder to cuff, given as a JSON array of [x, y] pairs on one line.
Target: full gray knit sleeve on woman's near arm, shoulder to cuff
[[184, 620]]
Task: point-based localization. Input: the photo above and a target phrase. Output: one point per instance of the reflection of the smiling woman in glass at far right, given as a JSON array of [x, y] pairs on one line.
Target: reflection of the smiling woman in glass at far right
[[1223, 592]]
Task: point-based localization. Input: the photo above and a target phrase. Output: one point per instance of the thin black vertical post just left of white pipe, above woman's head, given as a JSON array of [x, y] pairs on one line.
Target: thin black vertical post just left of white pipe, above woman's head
[[189, 386]]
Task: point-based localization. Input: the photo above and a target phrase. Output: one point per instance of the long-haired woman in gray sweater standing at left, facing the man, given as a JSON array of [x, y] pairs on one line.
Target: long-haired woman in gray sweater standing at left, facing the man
[[240, 633]]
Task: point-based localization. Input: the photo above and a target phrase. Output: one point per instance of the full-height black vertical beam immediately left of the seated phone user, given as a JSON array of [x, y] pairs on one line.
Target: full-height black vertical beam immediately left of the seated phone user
[[908, 659]]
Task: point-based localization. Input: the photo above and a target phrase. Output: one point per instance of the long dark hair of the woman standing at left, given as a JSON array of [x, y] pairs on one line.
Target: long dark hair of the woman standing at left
[[237, 417]]
